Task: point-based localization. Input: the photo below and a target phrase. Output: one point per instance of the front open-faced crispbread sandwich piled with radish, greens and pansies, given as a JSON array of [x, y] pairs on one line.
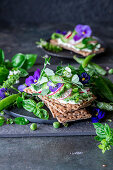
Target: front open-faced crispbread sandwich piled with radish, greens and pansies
[[65, 92]]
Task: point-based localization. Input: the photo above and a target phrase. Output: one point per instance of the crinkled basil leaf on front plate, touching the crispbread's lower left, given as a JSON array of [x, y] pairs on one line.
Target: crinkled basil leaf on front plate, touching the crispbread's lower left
[[42, 114]]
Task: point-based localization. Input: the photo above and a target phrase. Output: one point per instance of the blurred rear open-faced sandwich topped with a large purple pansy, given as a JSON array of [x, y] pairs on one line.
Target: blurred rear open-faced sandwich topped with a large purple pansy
[[79, 41]]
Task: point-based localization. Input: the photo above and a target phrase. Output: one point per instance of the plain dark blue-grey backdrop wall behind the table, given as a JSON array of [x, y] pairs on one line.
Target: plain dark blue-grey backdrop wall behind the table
[[19, 12]]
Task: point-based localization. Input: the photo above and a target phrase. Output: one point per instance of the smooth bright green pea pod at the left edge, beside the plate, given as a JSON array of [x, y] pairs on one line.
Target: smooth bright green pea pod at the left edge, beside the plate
[[6, 102]]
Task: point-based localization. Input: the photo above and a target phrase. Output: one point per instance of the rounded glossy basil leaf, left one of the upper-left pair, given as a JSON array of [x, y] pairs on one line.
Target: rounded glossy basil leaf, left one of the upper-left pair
[[18, 60]]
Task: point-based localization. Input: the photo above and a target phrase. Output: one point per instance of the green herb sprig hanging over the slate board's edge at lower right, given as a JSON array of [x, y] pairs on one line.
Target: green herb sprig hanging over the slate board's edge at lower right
[[104, 136]]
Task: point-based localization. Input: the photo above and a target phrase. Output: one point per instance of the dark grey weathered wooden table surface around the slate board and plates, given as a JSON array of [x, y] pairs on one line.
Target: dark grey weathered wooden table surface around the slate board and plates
[[52, 153]]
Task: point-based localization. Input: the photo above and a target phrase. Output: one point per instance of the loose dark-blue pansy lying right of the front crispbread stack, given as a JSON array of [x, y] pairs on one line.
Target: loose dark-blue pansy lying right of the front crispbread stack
[[98, 115]]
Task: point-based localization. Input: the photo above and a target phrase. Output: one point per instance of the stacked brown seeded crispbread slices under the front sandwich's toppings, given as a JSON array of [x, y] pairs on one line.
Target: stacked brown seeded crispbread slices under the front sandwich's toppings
[[65, 112]]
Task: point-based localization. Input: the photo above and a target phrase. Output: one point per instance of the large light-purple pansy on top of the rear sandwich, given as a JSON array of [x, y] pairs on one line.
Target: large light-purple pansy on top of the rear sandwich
[[83, 31]]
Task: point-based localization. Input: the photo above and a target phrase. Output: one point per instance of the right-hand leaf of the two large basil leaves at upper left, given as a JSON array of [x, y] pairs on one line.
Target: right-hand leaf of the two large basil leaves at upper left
[[30, 60]]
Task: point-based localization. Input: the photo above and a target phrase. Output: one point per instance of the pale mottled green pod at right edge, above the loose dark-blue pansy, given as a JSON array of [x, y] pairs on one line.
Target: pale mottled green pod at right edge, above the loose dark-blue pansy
[[105, 106]]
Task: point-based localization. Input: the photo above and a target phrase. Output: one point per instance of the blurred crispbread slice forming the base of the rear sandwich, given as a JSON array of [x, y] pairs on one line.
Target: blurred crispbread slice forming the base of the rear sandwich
[[83, 53]]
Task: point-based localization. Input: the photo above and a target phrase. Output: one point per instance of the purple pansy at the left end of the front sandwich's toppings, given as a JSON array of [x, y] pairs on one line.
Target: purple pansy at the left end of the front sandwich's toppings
[[33, 79]]
